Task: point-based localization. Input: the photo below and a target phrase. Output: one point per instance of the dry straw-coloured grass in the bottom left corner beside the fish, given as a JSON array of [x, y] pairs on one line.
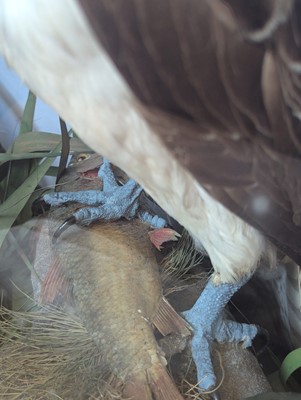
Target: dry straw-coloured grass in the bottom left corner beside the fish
[[48, 354]]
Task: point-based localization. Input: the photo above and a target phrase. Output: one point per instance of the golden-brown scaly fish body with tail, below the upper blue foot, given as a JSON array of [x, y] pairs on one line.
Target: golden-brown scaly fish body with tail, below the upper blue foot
[[117, 294]]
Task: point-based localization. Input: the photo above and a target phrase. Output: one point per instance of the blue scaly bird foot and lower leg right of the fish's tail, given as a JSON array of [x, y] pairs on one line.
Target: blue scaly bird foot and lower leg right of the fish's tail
[[209, 323]]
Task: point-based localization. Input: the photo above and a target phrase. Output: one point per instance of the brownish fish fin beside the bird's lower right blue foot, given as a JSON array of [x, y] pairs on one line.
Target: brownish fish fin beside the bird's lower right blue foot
[[168, 320]]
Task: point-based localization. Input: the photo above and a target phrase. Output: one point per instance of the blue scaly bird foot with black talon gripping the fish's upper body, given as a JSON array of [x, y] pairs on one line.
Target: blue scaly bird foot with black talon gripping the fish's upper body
[[111, 203]]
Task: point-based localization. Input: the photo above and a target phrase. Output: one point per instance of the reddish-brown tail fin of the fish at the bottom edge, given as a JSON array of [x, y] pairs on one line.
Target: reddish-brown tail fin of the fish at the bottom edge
[[153, 384]]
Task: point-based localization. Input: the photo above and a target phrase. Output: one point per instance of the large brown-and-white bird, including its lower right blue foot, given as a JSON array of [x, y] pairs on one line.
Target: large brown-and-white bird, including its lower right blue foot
[[199, 101]]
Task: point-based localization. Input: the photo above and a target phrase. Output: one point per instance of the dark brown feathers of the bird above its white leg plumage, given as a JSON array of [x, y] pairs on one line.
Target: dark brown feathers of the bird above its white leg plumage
[[221, 84]]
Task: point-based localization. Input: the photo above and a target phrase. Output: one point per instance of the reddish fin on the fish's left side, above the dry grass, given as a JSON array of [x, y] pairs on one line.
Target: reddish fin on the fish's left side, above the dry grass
[[55, 283]]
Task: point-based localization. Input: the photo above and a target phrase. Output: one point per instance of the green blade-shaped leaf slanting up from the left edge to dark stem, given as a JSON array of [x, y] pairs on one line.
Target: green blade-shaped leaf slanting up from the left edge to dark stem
[[12, 207]]
